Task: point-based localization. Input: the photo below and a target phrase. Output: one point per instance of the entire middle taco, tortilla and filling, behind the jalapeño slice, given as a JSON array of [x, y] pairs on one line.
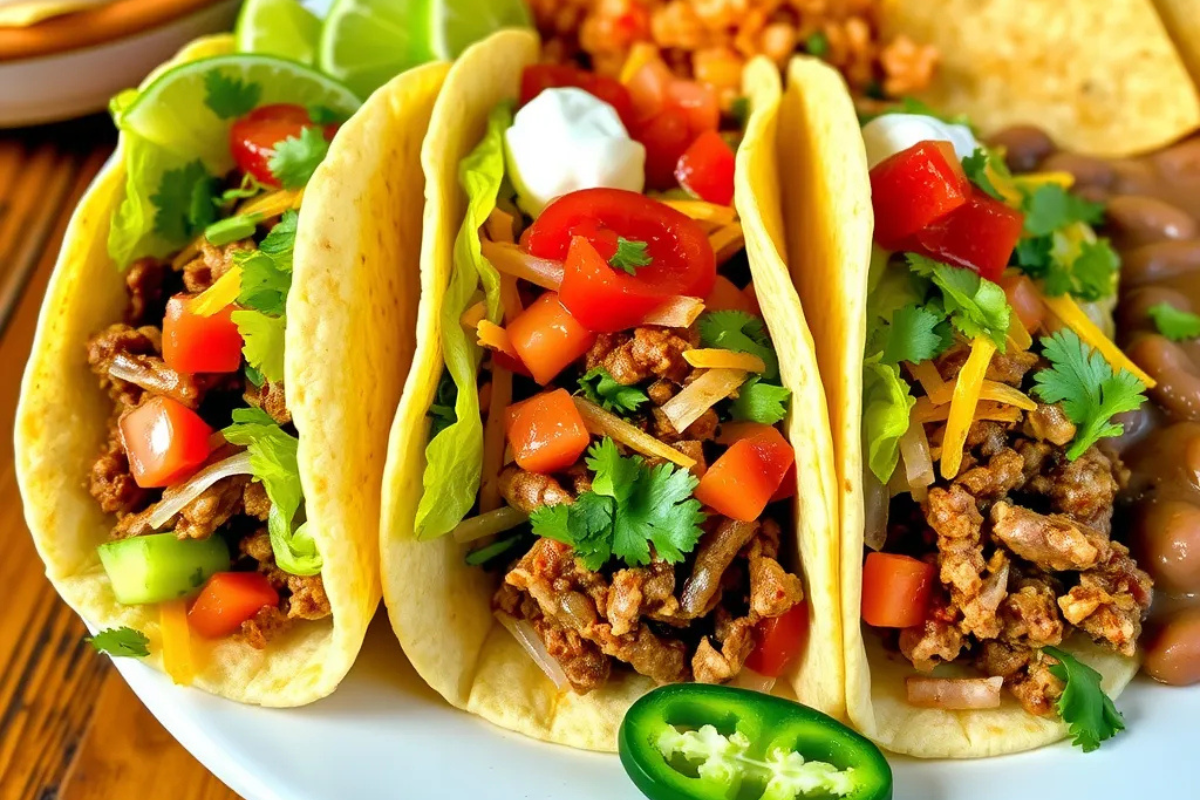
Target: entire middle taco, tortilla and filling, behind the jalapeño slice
[[591, 482]]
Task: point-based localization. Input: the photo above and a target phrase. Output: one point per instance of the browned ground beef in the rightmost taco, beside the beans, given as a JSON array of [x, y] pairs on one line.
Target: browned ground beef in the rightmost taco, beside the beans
[[1023, 543]]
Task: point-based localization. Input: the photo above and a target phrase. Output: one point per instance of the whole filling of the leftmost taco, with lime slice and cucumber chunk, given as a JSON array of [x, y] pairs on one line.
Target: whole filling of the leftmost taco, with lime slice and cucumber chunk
[[200, 466]]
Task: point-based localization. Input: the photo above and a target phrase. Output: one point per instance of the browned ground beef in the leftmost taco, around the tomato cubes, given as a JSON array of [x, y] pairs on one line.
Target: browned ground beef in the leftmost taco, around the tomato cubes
[[235, 507]]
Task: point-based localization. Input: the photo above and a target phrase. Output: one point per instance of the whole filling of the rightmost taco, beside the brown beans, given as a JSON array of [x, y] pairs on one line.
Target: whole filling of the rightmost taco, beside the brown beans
[[991, 392]]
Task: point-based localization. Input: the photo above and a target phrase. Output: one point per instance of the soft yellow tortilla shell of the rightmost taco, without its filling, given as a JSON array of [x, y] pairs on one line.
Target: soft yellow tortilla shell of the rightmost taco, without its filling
[[829, 212]]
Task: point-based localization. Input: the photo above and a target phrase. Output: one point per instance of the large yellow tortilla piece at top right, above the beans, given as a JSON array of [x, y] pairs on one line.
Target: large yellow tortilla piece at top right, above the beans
[[1100, 77]]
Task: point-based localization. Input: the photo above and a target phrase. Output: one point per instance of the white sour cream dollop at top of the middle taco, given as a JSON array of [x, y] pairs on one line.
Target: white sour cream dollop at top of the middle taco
[[567, 140]]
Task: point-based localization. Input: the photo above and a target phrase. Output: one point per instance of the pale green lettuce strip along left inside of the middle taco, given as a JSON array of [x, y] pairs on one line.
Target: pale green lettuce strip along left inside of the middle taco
[[454, 456]]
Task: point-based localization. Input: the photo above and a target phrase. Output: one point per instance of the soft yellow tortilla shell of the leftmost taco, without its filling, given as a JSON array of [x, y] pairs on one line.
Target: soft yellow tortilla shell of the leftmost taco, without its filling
[[350, 342]]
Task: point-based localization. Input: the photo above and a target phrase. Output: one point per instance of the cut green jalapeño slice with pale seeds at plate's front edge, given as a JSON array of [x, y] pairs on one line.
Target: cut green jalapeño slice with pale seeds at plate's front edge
[[695, 742]]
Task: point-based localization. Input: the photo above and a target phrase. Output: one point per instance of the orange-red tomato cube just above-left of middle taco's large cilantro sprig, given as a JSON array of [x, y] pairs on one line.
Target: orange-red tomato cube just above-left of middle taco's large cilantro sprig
[[548, 434]]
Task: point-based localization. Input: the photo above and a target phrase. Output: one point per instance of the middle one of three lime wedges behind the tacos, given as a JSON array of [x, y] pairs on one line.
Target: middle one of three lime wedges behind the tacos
[[365, 44]]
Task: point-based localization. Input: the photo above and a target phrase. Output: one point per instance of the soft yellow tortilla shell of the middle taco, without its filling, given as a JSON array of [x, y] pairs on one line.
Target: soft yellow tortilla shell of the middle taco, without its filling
[[440, 607]]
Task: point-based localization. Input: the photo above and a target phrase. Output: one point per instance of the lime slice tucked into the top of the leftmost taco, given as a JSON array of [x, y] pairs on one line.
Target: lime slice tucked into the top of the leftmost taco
[[176, 112]]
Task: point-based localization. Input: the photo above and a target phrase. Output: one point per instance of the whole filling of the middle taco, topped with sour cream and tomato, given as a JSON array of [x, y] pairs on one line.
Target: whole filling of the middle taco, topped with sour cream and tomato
[[613, 450]]
